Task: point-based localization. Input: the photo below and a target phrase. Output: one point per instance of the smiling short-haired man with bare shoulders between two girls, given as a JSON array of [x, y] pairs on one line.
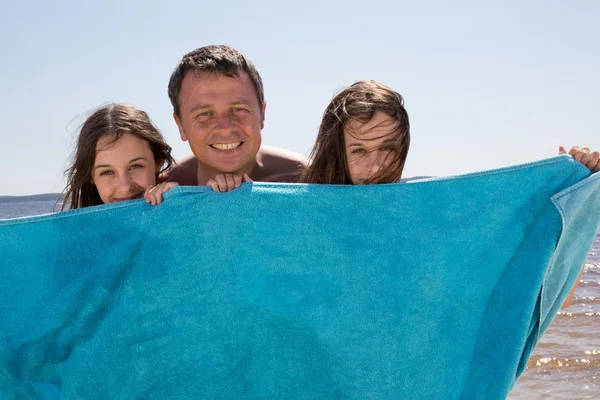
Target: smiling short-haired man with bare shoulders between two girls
[[219, 107]]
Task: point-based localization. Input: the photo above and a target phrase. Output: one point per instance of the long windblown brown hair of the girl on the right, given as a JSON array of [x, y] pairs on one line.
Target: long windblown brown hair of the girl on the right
[[358, 102]]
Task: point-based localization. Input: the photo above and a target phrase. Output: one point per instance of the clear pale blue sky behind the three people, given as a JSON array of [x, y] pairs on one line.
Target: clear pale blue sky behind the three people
[[485, 85]]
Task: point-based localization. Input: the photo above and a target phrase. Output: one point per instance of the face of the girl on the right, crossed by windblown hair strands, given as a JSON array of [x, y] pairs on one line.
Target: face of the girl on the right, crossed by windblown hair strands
[[370, 146]]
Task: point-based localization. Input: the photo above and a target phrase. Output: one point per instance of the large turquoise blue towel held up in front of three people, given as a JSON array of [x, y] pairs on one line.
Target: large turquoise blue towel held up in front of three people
[[434, 289]]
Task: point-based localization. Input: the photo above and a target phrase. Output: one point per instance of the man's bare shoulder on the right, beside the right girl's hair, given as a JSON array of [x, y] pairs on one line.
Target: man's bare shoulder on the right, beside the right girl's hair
[[278, 165]]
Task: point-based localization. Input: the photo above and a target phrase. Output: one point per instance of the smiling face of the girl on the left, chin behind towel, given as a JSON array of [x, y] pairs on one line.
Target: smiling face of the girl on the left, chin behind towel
[[123, 169]]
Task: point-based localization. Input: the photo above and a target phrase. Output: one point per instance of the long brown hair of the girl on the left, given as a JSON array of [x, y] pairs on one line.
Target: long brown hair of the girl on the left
[[113, 119]]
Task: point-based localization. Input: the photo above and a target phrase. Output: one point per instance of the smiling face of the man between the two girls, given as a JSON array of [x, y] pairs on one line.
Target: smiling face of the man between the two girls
[[222, 120]]
